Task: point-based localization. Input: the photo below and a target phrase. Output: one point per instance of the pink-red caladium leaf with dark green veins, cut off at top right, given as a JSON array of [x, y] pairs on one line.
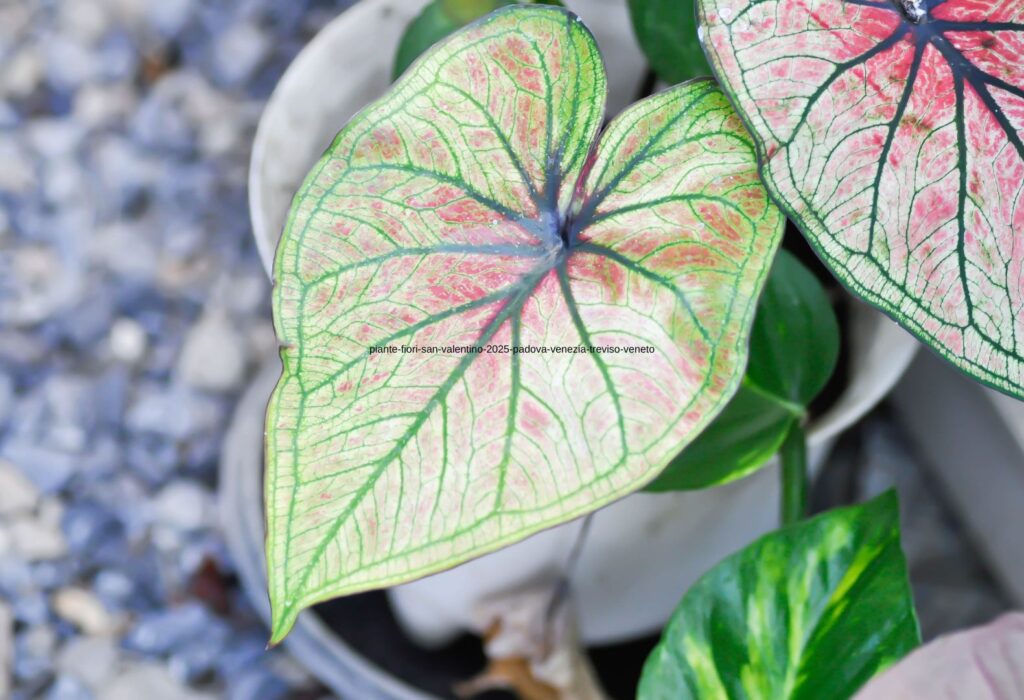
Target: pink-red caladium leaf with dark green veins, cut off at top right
[[890, 132]]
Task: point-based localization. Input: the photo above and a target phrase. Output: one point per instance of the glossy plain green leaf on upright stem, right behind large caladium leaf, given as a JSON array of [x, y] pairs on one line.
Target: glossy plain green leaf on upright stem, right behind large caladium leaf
[[794, 351]]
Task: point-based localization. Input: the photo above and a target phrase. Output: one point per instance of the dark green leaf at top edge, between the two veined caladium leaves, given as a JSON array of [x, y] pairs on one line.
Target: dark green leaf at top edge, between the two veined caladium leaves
[[667, 31]]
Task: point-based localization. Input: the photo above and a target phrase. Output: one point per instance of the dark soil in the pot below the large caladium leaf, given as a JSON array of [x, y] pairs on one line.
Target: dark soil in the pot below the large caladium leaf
[[367, 625]]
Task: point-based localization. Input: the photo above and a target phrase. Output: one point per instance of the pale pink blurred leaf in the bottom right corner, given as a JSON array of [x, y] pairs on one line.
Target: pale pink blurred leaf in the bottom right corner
[[985, 664]]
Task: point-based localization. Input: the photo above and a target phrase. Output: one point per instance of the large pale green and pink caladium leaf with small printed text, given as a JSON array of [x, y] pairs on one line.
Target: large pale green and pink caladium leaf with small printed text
[[464, 210]]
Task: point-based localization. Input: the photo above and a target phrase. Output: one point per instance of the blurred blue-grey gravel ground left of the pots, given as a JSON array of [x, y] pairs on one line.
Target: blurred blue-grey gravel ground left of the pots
[[133, 312]]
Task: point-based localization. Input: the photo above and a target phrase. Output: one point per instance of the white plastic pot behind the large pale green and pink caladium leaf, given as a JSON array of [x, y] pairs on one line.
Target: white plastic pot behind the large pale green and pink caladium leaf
[[643, 552]]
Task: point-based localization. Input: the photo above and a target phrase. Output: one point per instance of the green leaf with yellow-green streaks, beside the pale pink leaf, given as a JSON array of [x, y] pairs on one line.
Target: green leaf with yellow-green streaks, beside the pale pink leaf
[[809, 612]]
